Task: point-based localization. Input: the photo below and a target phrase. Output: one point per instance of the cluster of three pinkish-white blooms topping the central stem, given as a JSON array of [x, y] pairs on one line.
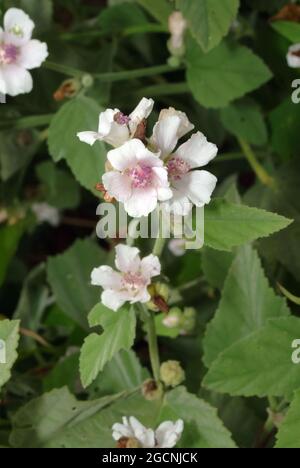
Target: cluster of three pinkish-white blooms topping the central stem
[[142, 172]]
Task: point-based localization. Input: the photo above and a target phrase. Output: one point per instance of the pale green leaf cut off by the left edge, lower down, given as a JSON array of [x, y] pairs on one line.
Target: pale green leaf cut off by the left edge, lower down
[[9, 339]]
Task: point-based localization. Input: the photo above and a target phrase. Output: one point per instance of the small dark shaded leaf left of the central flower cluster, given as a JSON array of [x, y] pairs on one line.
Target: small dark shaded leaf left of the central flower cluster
[[55, 182]]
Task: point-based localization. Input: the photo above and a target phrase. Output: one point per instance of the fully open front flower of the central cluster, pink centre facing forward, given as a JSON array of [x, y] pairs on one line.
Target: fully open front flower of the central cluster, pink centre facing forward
[[138, 179]]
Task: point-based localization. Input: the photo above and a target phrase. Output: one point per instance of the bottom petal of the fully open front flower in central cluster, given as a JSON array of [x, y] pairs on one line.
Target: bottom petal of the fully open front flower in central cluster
[[142, 202]]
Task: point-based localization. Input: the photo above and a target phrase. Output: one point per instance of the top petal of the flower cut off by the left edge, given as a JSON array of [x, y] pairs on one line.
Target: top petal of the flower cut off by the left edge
[[18, 26]]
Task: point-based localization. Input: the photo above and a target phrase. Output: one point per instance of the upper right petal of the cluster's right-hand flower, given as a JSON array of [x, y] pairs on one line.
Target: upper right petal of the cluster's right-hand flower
[[197, 151]]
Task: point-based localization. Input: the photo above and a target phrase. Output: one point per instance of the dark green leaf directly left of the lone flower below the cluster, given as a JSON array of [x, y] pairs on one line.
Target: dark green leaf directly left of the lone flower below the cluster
[[69, 276]]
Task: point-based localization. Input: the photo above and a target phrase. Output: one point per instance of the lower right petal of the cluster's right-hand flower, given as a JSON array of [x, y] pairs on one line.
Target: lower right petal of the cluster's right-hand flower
[[198, 186]]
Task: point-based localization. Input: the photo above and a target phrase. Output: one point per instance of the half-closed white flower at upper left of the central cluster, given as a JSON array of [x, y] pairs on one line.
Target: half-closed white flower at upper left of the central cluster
[[115, 127]]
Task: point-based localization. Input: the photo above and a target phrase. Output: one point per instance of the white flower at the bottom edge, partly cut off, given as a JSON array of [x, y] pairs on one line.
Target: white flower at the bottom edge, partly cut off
[[166, 435]]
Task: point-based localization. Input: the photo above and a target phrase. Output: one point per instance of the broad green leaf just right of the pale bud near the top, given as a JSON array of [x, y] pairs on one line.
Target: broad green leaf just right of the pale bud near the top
[[226, 73]]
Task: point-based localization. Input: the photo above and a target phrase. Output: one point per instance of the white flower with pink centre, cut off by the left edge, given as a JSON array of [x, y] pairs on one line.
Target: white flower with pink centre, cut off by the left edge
[[18, 53]]
